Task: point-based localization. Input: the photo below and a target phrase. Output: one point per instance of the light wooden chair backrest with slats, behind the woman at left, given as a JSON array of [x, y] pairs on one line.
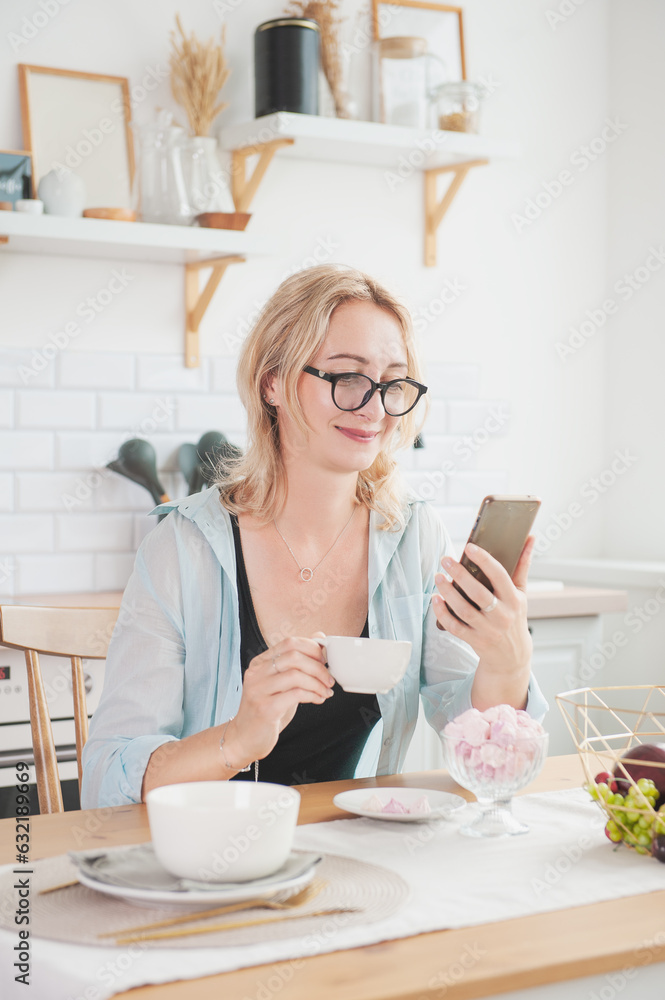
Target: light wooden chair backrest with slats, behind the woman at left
[[73, 632]]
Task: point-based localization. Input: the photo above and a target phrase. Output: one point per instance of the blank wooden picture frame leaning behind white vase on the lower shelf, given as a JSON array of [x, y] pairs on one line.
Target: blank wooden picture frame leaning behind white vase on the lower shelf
[[79, 121]]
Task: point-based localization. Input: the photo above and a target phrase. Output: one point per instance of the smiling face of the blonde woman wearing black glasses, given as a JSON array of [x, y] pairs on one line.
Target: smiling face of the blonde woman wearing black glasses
[[363, 338]]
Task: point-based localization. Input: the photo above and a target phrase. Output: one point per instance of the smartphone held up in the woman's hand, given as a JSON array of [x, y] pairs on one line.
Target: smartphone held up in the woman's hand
[[501, 528]]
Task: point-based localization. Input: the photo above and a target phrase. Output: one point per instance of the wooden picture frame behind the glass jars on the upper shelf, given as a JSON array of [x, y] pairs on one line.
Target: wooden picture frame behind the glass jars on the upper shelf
[[410, 17]]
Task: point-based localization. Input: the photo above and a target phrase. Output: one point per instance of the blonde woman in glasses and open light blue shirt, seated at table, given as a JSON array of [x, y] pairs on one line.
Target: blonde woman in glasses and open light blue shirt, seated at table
[[213, 671]]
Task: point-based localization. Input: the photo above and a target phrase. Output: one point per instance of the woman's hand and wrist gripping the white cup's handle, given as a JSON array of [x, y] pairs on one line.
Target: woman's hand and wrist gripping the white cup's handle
[[275, 683]]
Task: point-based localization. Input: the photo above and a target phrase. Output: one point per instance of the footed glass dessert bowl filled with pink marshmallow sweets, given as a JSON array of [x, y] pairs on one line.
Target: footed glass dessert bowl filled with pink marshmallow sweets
[[494, 754]]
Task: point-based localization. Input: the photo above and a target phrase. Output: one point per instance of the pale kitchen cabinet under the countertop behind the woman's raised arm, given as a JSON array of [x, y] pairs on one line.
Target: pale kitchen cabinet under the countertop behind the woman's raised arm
[[560, 645]]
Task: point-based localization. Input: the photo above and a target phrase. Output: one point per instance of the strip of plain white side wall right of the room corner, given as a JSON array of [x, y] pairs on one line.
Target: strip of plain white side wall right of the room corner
[[635, 343]]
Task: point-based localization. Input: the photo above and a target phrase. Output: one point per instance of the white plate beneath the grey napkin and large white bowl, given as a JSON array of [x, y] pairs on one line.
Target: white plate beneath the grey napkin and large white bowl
[[290, 877]]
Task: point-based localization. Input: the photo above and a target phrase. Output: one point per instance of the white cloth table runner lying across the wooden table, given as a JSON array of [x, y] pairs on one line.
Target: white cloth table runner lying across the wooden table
[[455, 881]]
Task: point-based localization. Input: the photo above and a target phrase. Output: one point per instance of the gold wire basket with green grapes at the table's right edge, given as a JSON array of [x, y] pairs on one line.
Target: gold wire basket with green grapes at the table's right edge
[[605, 723]]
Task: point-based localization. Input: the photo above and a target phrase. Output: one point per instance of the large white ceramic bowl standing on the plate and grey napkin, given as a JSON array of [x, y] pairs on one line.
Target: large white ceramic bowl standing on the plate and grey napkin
[[222, 831]]
